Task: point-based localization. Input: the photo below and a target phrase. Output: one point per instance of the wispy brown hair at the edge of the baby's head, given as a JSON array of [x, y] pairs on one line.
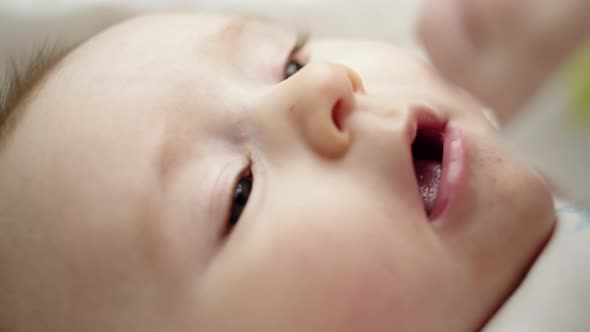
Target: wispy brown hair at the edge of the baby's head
[[21, 78]]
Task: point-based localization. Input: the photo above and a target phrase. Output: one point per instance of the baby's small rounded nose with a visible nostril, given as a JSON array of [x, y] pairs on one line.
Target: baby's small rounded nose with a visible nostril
[[323, 95]]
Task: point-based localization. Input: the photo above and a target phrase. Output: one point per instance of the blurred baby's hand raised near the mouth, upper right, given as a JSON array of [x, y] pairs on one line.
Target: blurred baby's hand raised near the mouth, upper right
[[501, 51]]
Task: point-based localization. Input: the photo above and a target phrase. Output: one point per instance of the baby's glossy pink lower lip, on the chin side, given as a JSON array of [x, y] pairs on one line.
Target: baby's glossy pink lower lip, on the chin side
[[453, 172]]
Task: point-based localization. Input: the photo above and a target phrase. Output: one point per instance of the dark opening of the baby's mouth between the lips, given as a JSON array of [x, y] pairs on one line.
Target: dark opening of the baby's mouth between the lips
[[427, 157]]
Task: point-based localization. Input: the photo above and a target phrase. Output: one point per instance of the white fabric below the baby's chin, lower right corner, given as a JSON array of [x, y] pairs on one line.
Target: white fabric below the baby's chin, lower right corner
[[555, 295]]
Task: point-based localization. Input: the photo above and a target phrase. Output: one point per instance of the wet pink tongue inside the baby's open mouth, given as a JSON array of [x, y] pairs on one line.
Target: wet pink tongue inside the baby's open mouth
[[428, 176]]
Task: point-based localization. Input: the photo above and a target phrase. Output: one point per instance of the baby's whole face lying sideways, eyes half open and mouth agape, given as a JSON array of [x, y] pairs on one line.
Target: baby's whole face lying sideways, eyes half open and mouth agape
[[169, 178]]
